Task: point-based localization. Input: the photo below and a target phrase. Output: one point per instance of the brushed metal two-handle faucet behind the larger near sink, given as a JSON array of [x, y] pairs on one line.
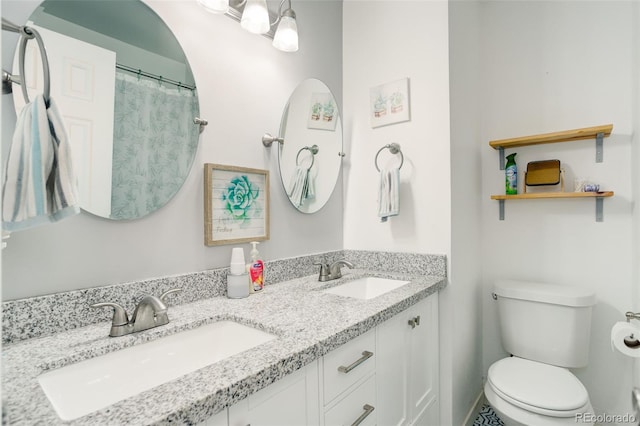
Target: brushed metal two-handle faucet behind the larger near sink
[[150, 312]]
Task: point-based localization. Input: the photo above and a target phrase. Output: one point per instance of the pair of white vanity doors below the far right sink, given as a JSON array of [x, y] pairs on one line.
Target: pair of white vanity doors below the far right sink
[[407, 372]]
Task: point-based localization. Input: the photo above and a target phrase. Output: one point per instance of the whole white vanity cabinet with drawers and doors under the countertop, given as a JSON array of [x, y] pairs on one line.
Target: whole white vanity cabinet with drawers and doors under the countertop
[[387, 376]]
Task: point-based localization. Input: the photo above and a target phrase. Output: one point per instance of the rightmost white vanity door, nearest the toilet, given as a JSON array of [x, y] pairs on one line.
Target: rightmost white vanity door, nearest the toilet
[[423, 363]]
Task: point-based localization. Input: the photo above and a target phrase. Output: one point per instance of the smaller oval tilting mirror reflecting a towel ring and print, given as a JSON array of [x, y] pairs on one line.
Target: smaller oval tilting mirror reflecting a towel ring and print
[[311, 154]]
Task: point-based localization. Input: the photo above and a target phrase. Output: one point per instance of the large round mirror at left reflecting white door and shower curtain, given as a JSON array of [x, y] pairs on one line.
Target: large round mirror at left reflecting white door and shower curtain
[[127, 96]]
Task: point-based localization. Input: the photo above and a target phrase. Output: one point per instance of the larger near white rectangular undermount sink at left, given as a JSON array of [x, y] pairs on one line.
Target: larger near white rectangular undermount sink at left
[[79, 389]]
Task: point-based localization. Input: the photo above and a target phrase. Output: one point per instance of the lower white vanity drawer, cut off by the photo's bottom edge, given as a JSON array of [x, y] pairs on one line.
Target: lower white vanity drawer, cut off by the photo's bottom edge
[[358, 405]]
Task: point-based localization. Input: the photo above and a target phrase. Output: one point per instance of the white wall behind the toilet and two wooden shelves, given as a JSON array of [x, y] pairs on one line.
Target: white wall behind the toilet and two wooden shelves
[[548, 66]]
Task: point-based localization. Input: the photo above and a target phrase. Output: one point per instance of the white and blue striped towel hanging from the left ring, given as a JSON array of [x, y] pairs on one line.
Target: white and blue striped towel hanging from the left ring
[[40, 185]]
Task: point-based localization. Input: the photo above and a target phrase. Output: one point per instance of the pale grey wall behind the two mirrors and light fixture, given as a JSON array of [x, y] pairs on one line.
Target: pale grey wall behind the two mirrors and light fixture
[[243, 84]]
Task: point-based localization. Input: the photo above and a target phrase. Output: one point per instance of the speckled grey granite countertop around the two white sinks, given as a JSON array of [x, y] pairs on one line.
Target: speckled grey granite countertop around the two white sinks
[[308, 323]]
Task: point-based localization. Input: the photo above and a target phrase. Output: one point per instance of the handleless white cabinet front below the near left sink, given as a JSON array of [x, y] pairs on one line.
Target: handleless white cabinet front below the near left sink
[[291, 401]]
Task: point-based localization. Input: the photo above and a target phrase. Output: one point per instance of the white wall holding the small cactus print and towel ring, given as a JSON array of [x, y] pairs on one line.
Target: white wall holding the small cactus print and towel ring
[[385, 41]]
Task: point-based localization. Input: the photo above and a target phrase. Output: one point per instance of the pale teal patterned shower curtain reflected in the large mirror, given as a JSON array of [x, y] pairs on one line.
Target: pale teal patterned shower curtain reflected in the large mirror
[[154, 143]]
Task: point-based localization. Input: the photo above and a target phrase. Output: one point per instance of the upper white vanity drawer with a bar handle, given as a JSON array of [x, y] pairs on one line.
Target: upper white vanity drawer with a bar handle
[[349, 363]]
